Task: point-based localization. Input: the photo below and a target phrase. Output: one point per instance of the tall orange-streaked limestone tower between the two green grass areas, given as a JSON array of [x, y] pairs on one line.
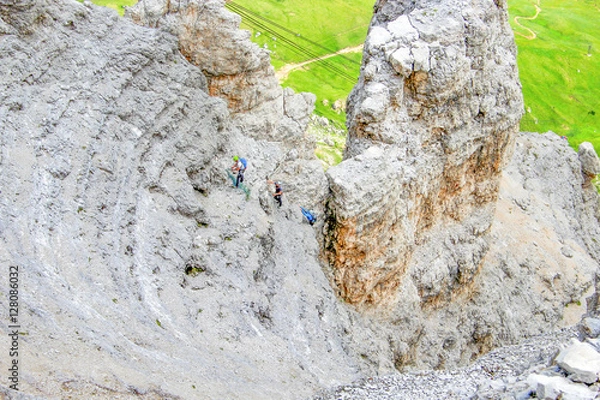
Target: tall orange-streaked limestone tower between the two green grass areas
[[431, 123]]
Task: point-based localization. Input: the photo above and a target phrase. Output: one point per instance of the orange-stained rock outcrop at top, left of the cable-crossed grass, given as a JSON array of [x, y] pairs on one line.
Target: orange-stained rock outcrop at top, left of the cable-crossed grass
[[236, 69]]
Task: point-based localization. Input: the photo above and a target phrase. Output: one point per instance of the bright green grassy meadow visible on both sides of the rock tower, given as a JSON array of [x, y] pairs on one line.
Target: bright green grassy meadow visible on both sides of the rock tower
[[559, 78]]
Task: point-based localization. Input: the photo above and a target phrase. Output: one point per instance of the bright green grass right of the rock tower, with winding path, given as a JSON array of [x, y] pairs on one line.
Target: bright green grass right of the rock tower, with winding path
[[561, 83]]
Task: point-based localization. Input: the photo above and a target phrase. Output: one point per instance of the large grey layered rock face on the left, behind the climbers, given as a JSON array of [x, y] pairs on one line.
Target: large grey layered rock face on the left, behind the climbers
[[113, 187]]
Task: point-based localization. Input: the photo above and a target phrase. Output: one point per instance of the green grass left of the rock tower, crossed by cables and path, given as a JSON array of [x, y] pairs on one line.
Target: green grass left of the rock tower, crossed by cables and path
[[334, 24]]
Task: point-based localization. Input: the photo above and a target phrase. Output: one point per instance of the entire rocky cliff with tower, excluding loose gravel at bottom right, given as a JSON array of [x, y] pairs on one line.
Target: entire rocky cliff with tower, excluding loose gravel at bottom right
[[143, 273]]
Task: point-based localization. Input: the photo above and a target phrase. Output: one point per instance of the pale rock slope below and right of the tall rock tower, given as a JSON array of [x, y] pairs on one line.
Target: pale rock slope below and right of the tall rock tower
[[538, 270]]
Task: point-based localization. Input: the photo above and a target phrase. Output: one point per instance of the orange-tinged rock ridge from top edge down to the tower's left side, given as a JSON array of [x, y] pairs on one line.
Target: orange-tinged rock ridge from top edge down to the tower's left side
[[240, 72]]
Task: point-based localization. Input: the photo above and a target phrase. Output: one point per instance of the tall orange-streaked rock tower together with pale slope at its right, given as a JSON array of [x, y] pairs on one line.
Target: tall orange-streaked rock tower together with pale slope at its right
[[418, 237]]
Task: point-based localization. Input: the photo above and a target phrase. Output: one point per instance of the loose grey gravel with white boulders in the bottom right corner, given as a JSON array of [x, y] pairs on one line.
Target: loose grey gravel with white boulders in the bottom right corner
[[518, 372]]
